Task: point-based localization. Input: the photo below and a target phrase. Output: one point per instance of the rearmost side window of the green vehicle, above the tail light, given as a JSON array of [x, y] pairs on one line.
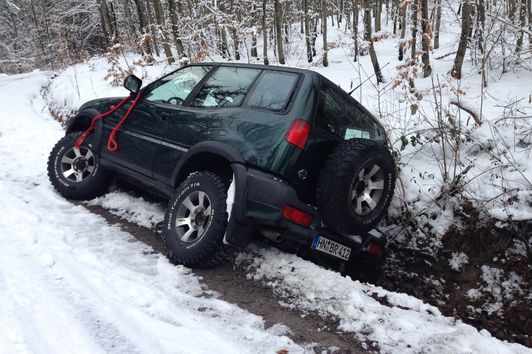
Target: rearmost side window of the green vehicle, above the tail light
[[272, 91]]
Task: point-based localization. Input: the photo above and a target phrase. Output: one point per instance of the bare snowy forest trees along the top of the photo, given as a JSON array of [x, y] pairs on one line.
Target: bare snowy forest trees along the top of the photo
[[52, 34]]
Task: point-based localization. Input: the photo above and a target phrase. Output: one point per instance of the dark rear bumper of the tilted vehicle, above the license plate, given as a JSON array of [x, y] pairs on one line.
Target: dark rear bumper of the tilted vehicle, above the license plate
[[259, 201]]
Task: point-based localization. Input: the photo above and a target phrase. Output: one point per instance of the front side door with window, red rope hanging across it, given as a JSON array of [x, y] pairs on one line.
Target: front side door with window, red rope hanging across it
[[140, 136]]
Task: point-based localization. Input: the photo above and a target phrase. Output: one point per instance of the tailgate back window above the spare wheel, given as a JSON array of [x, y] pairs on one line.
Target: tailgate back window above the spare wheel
[[344, 117]]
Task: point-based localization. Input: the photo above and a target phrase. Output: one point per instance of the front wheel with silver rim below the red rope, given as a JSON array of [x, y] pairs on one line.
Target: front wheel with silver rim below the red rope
[[77, 173]]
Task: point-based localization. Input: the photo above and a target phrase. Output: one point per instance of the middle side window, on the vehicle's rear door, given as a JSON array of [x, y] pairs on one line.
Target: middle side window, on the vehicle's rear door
[[227, 87]]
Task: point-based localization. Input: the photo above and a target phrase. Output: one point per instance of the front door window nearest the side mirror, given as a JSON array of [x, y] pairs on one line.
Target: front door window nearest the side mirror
[[174, 88]]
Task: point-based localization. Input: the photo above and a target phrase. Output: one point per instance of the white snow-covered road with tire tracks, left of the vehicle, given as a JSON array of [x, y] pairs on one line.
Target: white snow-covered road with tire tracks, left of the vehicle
[[72, 283]]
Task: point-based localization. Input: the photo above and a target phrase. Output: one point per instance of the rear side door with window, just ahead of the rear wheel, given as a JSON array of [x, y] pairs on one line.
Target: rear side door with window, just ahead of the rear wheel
[[204, 117]]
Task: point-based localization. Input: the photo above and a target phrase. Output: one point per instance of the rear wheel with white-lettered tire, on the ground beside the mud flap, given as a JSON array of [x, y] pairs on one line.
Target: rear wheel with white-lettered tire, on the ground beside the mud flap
[[196, 221]]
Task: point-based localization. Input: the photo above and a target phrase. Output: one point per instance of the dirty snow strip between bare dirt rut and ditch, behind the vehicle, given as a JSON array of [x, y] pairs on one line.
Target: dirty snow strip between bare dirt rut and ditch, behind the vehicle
[[395, 322]]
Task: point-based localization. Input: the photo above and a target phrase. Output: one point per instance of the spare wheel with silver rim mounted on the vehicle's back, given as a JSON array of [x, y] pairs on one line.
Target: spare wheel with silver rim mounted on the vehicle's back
[[356, 186]]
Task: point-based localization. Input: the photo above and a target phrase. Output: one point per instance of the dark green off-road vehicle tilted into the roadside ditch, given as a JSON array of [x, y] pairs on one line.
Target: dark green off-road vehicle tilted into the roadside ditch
[[304, 163]]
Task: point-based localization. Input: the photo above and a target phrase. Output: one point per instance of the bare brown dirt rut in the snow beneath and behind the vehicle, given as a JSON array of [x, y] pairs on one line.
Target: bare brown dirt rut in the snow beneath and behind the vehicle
[[230, 282]]
